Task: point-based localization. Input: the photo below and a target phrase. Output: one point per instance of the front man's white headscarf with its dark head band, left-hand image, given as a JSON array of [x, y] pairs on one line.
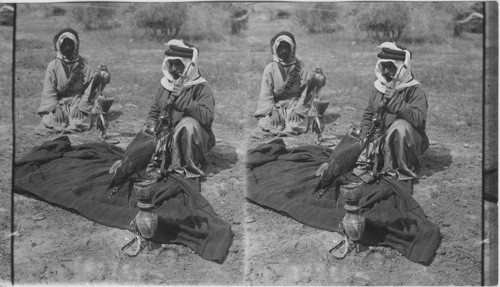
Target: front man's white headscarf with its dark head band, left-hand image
[[178, 49]]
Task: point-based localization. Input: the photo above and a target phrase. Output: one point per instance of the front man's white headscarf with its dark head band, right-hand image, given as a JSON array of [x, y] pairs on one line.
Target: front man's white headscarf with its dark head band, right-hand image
[[401, 58]]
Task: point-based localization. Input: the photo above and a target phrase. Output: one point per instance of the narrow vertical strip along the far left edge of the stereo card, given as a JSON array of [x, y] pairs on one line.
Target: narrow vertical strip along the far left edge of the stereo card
[[6, 46]]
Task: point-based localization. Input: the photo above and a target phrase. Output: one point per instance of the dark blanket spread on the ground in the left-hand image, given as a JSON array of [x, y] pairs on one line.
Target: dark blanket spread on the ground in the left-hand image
[[76, 178]]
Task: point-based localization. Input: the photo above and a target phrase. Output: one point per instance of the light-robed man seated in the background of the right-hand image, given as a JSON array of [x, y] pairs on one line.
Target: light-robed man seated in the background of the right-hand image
[[287, 90]]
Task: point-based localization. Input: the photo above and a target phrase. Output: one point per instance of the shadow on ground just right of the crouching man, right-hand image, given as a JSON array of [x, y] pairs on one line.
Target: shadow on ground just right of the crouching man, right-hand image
[[435, 159]]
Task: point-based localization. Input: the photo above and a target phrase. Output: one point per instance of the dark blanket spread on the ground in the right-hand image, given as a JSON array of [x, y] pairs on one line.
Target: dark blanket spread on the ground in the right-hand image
[[284, 179]]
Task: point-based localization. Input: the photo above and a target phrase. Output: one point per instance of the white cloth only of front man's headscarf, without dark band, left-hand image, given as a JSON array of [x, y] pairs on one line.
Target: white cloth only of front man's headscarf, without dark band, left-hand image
[[191, 72]]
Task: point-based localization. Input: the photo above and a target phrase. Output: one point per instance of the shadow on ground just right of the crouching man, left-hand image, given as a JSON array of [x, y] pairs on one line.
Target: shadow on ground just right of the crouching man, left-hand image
[[220, 157]]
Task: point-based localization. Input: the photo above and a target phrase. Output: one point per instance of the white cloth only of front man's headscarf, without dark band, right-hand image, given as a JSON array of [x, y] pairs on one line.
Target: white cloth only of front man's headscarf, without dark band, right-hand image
[[404, 77]]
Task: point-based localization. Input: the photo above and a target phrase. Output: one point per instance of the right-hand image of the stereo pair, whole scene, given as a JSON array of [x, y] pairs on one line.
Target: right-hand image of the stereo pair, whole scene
[[364, 161]]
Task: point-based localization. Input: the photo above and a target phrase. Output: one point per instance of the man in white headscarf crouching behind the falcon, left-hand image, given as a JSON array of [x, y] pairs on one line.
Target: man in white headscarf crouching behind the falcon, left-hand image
[[182, 112]]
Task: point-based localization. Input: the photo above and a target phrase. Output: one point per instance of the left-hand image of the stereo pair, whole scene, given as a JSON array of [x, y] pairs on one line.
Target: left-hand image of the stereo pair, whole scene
[[126, 165]]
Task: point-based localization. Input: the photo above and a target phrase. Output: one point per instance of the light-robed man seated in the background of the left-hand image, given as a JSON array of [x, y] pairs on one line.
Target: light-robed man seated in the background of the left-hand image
[[66, 97]]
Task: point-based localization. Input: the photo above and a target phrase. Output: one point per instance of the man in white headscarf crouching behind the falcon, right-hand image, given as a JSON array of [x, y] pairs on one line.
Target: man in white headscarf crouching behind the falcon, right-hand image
[[394, 120]]
